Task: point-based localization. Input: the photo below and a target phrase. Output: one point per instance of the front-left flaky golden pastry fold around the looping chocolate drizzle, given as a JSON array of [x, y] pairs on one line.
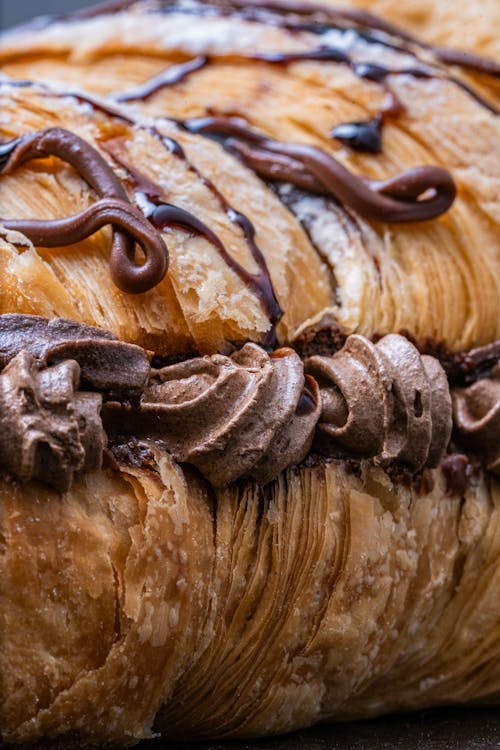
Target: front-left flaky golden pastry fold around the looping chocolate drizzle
[[201, 303]]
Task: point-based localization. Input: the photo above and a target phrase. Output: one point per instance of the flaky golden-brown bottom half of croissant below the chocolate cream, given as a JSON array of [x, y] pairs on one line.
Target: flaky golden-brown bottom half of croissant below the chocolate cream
[[144, 602]]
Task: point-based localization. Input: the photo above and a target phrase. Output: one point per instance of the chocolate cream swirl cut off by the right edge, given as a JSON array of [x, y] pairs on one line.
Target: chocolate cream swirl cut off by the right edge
[[476, 413]]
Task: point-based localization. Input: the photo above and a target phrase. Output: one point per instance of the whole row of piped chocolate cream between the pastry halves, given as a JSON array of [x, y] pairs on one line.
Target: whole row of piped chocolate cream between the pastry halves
[[67, 390]]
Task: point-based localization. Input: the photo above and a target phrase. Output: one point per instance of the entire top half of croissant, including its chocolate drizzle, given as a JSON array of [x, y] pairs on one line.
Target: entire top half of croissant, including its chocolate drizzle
[[367, 224]]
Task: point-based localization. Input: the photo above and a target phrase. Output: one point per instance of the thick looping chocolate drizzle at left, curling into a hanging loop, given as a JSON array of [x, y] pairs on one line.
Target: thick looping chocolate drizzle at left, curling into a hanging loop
[[114, 208]]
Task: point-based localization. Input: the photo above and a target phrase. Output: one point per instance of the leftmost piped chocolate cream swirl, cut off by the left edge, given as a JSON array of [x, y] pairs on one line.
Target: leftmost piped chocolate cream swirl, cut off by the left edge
[[49, 430]]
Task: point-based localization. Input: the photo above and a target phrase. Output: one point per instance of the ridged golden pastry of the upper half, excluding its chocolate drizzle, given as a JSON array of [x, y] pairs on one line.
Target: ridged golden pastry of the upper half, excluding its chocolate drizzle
[[437, 280]]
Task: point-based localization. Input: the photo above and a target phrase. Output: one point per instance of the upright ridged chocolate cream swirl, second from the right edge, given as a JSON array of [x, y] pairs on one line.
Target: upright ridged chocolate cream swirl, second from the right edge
[[383, 401]]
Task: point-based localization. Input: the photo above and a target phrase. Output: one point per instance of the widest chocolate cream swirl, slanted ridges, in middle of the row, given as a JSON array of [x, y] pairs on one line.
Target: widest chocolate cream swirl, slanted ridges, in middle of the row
[[250, 414]]
